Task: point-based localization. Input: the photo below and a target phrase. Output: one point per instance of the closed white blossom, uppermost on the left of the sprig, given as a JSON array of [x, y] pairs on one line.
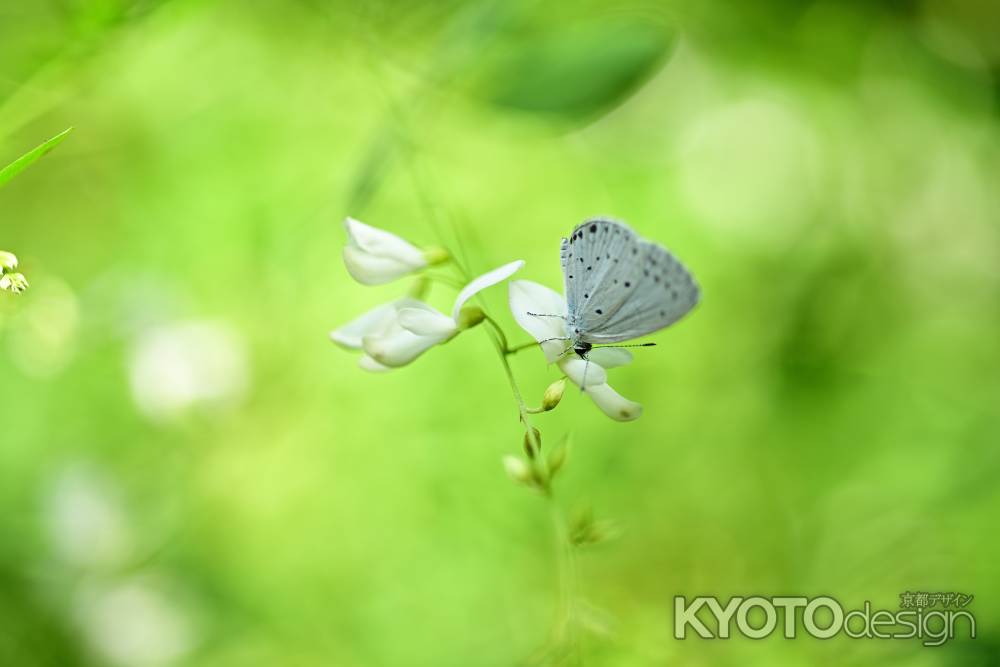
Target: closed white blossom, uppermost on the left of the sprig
[[374, 256]]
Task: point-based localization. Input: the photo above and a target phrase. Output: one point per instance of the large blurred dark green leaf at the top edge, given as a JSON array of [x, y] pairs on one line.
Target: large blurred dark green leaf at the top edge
[[577, 73]]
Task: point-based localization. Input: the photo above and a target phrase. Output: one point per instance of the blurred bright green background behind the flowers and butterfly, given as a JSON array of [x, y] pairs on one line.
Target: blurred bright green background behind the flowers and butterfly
[[191, 474]]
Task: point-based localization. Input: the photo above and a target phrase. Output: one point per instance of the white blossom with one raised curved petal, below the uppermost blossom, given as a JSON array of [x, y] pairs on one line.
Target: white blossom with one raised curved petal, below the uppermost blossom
[[396, 333]]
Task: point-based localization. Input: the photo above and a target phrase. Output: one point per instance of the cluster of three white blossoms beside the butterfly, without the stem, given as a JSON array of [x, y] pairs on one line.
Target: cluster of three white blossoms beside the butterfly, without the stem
[[396, 333]]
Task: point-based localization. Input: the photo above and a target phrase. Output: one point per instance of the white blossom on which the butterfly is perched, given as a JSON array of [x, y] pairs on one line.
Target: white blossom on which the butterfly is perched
[[529, 297]]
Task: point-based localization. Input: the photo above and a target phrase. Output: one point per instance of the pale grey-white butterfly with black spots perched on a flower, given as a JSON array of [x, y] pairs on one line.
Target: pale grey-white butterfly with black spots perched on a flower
[[620, 286]]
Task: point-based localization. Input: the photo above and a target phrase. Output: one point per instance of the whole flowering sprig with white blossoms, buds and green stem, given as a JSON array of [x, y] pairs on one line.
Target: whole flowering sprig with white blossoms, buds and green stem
[[396, 333]]
